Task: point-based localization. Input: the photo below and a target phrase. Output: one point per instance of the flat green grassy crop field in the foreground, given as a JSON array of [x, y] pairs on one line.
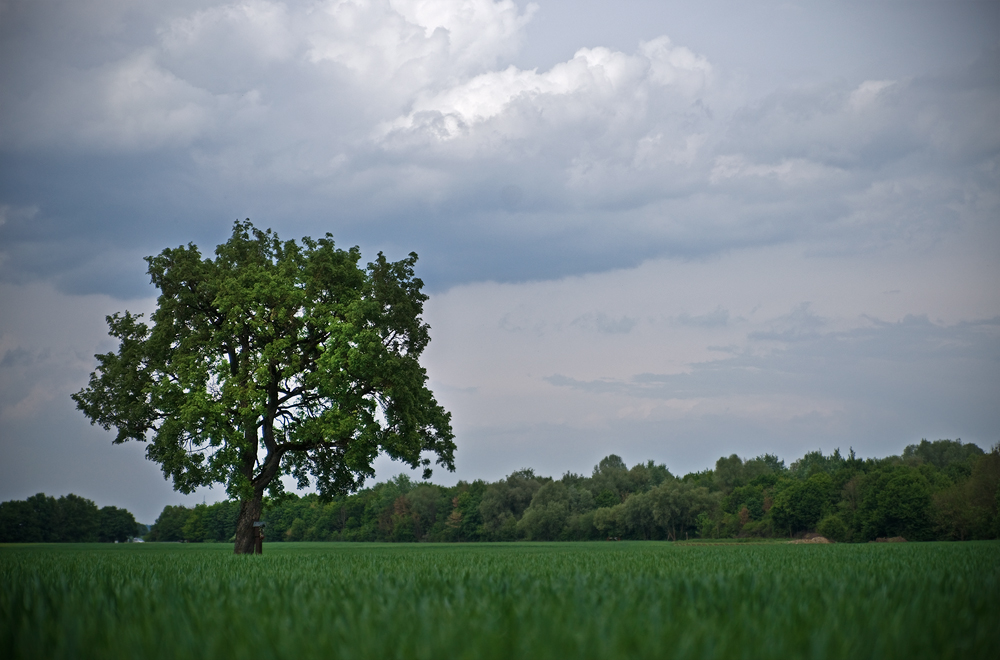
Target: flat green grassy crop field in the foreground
[[552, 600]]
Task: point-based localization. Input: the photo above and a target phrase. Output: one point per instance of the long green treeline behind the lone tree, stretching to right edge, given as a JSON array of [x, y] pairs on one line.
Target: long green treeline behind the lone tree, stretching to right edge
[[943, 490]]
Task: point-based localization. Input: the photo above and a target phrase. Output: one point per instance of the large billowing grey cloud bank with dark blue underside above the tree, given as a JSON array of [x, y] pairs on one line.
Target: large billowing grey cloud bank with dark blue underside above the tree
[[407, 120]]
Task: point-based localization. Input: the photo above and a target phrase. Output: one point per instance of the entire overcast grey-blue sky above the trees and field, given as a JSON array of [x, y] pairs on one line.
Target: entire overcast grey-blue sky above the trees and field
[[667, 230]]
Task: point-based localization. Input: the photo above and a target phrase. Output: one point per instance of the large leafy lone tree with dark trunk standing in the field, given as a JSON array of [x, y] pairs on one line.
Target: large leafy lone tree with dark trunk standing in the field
[[273, 358]]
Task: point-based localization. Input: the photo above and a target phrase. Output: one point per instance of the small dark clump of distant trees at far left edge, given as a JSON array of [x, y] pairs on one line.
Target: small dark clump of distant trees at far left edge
[[69, 519]]
